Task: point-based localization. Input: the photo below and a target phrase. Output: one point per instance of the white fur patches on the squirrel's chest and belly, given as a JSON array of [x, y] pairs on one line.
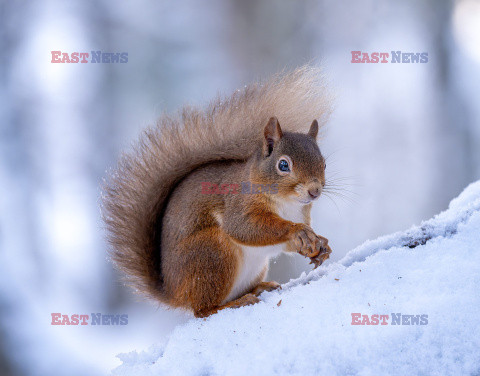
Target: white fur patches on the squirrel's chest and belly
[[255, 259]]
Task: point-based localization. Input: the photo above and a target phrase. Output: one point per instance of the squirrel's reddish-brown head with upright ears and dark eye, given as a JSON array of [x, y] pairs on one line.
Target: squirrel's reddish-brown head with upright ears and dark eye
[[293, 162]]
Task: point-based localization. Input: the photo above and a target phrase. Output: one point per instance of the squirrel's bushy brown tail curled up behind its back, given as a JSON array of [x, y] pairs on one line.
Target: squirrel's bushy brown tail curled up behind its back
[[230, 128]]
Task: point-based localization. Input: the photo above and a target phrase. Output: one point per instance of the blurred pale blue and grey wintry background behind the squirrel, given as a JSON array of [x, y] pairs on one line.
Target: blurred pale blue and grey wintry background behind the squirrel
[[404, 138]]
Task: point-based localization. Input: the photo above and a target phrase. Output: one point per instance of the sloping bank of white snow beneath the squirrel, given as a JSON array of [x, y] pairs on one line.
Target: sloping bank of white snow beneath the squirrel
[[432, 269]]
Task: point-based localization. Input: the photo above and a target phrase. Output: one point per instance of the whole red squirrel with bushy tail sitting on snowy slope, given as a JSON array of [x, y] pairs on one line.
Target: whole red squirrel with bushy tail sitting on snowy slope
[[207, 252]]
